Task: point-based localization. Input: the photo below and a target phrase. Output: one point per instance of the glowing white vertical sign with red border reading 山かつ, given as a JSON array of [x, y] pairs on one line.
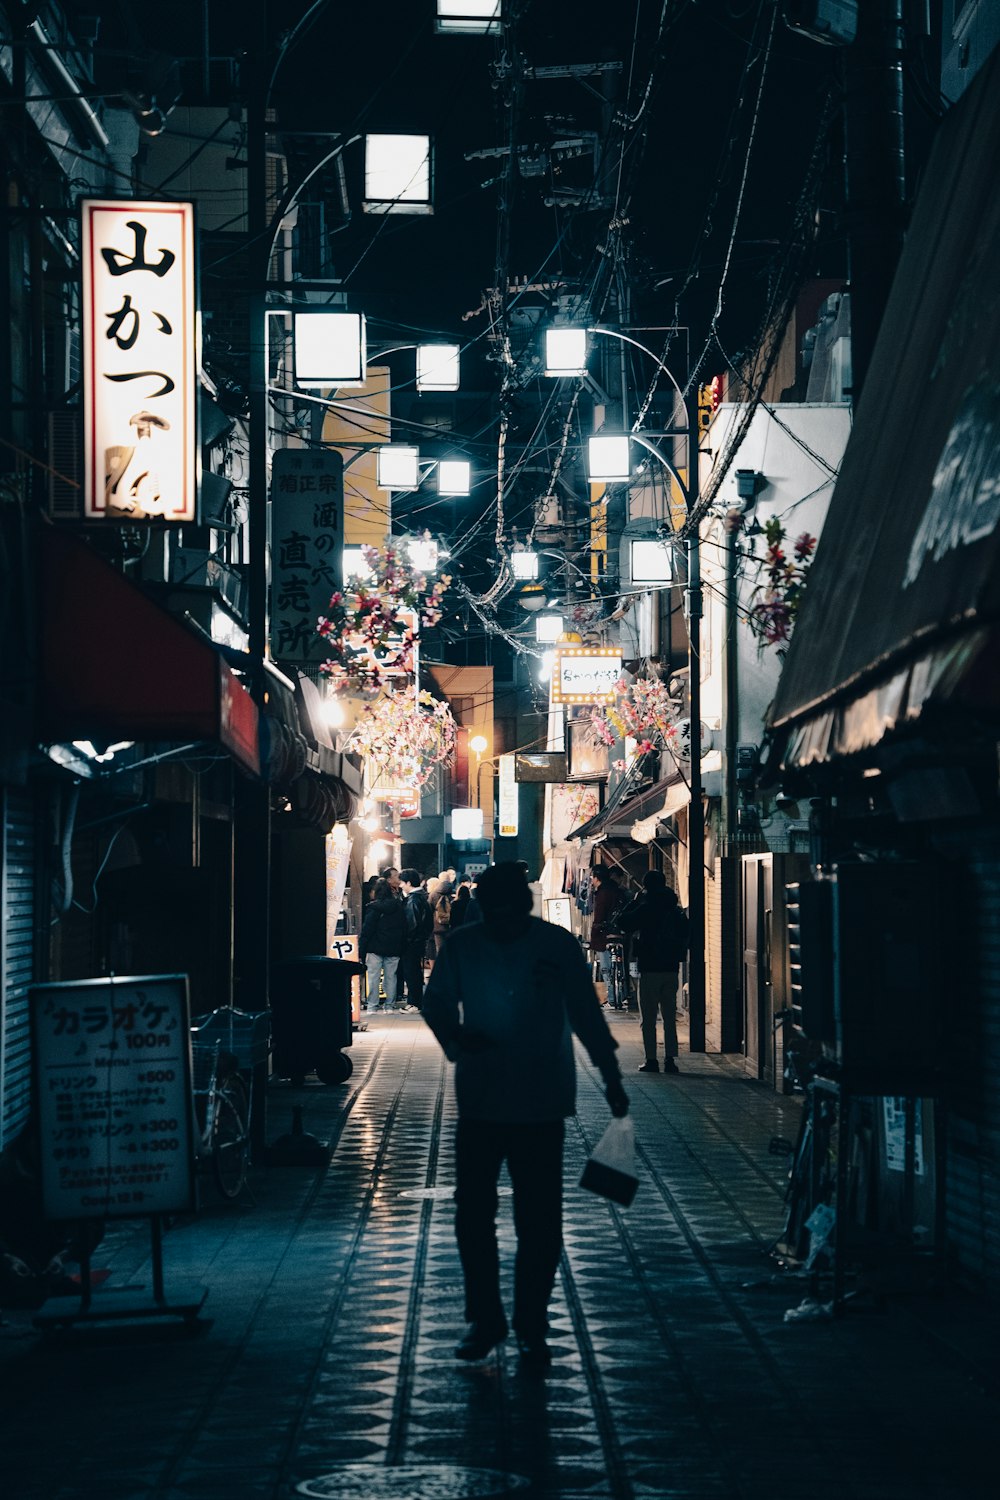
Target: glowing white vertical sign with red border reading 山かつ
[[140, 361]]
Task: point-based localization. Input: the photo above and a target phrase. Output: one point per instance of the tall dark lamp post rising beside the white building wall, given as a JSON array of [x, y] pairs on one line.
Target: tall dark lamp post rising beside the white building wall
[[696, 814]]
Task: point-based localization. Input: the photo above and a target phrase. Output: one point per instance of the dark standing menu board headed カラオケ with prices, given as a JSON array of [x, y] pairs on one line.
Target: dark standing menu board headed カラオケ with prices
[[115, 1103]]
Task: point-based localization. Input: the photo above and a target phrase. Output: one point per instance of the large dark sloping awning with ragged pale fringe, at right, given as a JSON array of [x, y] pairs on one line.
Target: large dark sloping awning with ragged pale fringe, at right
[[903, 601]]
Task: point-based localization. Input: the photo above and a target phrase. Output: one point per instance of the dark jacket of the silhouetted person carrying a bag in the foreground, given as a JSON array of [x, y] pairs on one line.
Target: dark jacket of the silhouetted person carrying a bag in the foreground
[[506, 1009]]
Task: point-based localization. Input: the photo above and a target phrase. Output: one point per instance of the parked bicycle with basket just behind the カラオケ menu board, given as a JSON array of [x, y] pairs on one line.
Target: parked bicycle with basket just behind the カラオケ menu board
[[223, 1102]]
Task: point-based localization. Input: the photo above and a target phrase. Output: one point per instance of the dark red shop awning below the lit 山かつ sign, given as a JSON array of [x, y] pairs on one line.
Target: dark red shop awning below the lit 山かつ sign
[[113, 665]]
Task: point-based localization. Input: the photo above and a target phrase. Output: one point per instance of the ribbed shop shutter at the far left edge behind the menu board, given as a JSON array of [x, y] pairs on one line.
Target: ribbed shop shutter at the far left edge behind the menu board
[[17, 959]]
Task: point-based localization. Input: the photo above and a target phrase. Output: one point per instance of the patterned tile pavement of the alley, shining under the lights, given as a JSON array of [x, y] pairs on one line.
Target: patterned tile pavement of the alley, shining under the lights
[[323, 1364]]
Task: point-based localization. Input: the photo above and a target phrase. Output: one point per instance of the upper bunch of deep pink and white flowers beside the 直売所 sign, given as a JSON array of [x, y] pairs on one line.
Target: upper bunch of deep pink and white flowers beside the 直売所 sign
[[373, 628]]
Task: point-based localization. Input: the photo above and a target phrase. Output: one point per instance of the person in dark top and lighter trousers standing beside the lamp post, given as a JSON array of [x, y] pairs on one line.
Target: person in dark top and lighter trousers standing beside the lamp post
[[662, 932]]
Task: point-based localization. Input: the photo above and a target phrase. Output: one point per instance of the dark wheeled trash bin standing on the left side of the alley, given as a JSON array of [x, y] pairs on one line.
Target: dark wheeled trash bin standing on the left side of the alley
[[311, 1018]]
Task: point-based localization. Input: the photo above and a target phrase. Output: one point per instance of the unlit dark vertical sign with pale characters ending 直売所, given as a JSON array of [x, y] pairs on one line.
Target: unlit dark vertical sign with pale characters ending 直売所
[[307, 545]]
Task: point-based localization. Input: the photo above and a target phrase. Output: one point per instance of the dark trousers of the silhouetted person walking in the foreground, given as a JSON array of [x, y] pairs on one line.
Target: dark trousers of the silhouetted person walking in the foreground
[[534, 1160]]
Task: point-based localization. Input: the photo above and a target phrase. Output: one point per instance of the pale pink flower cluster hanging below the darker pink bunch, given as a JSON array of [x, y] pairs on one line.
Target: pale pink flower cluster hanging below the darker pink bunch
[[404, 736]]
